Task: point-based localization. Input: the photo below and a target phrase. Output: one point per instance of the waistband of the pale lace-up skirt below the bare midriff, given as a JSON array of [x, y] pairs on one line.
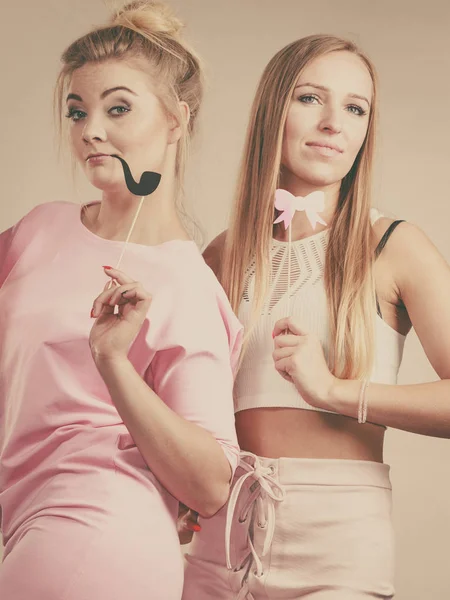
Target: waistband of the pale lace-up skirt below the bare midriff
[[323, 471]]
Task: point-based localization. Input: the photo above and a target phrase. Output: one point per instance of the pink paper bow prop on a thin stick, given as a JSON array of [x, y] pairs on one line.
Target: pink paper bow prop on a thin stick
[[288, 204]]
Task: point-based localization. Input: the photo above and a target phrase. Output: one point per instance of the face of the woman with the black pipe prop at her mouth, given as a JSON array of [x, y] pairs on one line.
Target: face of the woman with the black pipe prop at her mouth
[[113, 110]]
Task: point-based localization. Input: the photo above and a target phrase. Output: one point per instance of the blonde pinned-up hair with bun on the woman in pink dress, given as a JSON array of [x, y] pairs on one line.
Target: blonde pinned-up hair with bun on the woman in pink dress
[[144, 30]]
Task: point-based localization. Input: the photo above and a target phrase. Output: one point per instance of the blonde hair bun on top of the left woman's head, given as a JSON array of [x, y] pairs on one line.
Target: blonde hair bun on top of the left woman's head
[[151, 16]]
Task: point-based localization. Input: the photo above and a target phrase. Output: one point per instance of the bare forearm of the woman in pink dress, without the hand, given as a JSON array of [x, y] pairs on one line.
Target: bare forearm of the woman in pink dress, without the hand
[[185, 458]]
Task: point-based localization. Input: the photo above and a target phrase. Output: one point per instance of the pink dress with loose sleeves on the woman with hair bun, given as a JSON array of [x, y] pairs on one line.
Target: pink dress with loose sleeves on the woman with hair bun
[[83, 517]]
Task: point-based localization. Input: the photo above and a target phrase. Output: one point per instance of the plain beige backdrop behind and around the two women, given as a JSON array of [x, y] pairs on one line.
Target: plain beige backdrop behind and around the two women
[[409, 43]]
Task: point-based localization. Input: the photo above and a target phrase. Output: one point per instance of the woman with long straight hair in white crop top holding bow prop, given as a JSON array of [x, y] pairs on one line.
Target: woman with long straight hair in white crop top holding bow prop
[[326, 316]]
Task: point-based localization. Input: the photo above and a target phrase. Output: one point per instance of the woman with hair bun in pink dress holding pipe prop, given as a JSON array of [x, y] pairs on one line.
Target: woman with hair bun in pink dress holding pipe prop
[[109, 400]]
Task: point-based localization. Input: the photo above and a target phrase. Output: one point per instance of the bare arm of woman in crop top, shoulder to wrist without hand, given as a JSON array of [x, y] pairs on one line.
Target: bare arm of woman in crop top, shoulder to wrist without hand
[[423, 280]]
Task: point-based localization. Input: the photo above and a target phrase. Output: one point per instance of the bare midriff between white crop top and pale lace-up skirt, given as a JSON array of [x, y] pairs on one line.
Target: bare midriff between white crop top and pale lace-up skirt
[[297, 433]]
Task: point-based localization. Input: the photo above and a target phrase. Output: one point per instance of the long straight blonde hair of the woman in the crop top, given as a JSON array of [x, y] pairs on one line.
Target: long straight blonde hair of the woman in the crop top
[[348, 268]]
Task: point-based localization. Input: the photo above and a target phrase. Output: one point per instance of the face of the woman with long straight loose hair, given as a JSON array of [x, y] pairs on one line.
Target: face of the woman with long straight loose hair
[[327, 121]]
